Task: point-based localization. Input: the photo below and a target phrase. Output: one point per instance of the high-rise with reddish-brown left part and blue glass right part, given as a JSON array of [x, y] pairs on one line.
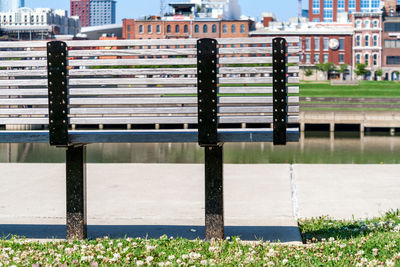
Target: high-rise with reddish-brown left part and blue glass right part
[[94, 12]]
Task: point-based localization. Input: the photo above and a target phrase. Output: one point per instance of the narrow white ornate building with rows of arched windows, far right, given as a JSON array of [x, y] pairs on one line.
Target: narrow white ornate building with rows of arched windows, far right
[[367, 41]]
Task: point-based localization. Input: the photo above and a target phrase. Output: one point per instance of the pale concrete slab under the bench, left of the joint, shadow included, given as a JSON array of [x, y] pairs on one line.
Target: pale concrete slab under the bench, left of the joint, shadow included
[[148, 200]]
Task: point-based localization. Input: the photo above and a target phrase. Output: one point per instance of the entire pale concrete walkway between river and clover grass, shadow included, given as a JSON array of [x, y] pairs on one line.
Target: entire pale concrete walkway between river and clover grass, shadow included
[[261, 200]]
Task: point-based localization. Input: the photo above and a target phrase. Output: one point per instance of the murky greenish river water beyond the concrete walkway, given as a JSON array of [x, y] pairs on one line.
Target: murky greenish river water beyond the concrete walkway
[[314, 147]]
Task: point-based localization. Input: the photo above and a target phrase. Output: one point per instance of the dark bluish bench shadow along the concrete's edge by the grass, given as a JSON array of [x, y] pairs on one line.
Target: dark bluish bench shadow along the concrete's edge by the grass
[[271, 233]]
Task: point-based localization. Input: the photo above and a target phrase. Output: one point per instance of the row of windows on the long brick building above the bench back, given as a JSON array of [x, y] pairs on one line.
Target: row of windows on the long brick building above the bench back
[[186, 28]]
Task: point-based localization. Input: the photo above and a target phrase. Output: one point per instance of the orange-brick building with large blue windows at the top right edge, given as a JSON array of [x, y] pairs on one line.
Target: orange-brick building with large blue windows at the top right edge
[[330, 10]]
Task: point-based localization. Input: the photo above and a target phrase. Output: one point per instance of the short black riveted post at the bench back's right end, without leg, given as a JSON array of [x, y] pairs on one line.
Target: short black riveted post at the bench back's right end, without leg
[[279, 47]]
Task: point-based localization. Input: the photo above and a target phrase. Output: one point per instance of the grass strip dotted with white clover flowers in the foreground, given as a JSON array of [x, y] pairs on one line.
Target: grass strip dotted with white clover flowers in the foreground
[[374, 242]]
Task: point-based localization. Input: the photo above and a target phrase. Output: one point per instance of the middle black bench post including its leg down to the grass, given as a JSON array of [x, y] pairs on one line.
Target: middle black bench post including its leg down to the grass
[[208, 136]]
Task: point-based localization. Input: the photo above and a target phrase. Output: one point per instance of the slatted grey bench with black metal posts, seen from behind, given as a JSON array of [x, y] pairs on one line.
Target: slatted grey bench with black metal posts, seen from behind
[[211, 91]]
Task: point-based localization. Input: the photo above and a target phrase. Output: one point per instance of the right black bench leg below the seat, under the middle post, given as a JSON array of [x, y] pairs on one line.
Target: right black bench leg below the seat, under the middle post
[[214, 192]]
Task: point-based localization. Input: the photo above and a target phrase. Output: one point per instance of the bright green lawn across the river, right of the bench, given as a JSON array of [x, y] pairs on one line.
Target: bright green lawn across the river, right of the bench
[[377, 89]]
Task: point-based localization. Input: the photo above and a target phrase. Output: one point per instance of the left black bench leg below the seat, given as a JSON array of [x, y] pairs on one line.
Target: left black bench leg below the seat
[[76, 192]]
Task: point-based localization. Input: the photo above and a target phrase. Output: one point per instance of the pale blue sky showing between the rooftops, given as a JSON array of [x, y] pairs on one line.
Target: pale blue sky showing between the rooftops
[[283, 9]]
